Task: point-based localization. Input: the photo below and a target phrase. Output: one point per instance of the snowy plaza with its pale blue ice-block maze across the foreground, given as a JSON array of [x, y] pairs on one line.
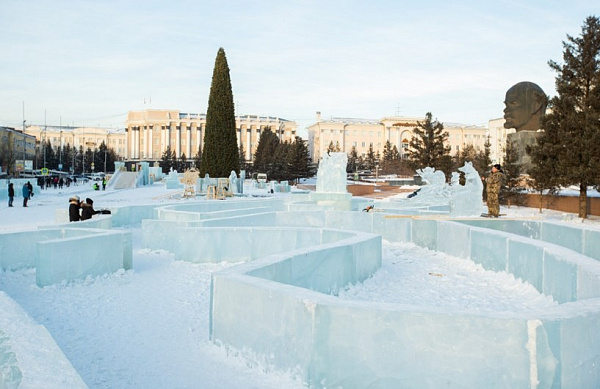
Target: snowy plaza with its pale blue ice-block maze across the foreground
[[216, 296]]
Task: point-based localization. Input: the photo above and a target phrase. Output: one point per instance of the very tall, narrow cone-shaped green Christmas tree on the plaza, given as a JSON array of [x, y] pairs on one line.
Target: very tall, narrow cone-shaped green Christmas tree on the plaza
[[220, 154]]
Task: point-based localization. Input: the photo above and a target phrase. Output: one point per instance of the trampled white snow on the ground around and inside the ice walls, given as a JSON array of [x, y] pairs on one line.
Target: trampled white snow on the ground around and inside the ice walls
[[148, 327]]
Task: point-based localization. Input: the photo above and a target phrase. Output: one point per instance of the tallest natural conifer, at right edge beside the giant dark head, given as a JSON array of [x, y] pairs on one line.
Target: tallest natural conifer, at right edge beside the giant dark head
[[571, 138]]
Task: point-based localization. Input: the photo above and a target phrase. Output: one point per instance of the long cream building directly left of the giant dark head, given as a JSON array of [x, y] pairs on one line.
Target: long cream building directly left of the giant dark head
[[346, 133]]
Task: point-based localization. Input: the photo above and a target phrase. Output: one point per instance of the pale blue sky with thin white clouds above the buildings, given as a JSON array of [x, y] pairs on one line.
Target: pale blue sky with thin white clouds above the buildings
[[89, 62]]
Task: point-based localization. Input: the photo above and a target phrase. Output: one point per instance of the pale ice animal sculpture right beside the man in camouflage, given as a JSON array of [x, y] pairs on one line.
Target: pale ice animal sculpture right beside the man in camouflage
[[467, 199]]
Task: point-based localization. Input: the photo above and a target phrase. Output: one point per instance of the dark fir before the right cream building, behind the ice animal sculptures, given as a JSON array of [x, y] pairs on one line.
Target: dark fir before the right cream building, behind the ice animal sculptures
[[428, 146]]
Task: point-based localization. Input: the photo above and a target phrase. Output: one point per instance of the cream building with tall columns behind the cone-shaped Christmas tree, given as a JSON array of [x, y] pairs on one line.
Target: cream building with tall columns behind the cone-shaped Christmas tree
[[150, 132]]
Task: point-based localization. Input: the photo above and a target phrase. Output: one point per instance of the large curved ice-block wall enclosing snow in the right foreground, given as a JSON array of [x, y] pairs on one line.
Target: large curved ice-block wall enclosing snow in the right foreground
[[358, 345]]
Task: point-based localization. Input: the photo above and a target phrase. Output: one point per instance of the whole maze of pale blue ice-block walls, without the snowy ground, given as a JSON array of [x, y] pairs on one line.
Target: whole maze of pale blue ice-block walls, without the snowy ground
[[278, 304]]
